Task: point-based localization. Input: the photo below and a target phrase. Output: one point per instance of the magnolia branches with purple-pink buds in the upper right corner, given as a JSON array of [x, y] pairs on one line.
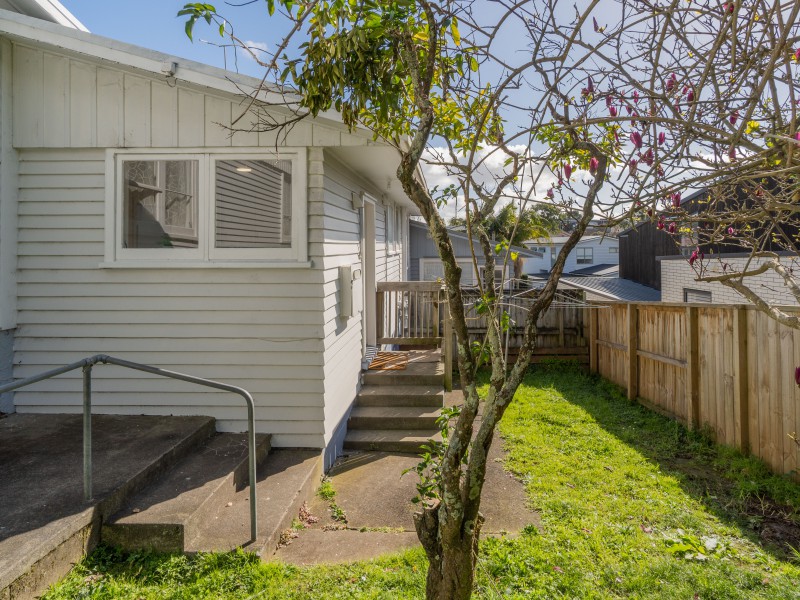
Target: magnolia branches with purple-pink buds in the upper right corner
[[700, 96]]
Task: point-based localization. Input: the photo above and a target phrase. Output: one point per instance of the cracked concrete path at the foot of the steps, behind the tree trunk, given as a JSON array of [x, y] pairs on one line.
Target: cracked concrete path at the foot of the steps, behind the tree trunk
[[375, 499]]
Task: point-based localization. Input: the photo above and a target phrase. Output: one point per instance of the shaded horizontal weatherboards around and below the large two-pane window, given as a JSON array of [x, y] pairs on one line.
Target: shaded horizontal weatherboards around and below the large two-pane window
[[258, 328]]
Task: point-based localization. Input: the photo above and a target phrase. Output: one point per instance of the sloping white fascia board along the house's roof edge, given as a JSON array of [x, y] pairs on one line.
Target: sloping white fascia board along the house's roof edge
[[41, 33]]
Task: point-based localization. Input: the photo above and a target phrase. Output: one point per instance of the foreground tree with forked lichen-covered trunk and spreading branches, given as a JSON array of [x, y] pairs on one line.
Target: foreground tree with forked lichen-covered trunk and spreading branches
[[605, 111]]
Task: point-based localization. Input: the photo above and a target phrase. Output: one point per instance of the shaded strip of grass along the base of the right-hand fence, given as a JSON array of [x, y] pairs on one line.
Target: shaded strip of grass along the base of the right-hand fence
[[737, 489]]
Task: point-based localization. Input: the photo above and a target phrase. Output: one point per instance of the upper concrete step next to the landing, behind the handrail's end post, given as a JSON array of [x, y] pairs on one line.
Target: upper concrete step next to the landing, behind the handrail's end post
[[166, 515]]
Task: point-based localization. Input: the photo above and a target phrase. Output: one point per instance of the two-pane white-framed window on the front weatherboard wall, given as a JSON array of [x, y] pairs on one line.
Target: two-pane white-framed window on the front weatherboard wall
[[208, 207]]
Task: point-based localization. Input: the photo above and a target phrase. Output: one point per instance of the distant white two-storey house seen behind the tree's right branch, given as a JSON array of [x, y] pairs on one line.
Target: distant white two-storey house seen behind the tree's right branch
[[590, 251]]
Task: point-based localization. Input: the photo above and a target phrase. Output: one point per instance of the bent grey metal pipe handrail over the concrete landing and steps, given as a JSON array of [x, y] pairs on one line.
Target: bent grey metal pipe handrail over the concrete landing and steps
[[86, 365]]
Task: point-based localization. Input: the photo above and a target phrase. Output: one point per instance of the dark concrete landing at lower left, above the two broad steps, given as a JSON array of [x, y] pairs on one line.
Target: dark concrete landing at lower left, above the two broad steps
[[45, 524]]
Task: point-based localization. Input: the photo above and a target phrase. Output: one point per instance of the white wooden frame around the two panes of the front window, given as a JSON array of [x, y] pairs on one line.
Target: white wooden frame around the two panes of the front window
[[206, 253]]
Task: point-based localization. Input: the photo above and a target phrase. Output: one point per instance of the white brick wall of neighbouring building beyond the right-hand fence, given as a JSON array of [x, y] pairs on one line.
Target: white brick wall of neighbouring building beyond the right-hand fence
[[676, 275]]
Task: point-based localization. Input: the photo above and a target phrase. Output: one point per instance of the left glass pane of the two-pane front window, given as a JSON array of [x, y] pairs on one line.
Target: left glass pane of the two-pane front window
[[160, 204]]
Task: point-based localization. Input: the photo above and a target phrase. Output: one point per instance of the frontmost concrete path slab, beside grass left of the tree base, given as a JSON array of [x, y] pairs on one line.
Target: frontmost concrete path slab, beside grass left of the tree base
[[328, 547]]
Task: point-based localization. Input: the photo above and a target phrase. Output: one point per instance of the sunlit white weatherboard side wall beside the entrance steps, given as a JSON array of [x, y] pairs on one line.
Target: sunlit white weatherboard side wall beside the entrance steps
[[340, 241]]
